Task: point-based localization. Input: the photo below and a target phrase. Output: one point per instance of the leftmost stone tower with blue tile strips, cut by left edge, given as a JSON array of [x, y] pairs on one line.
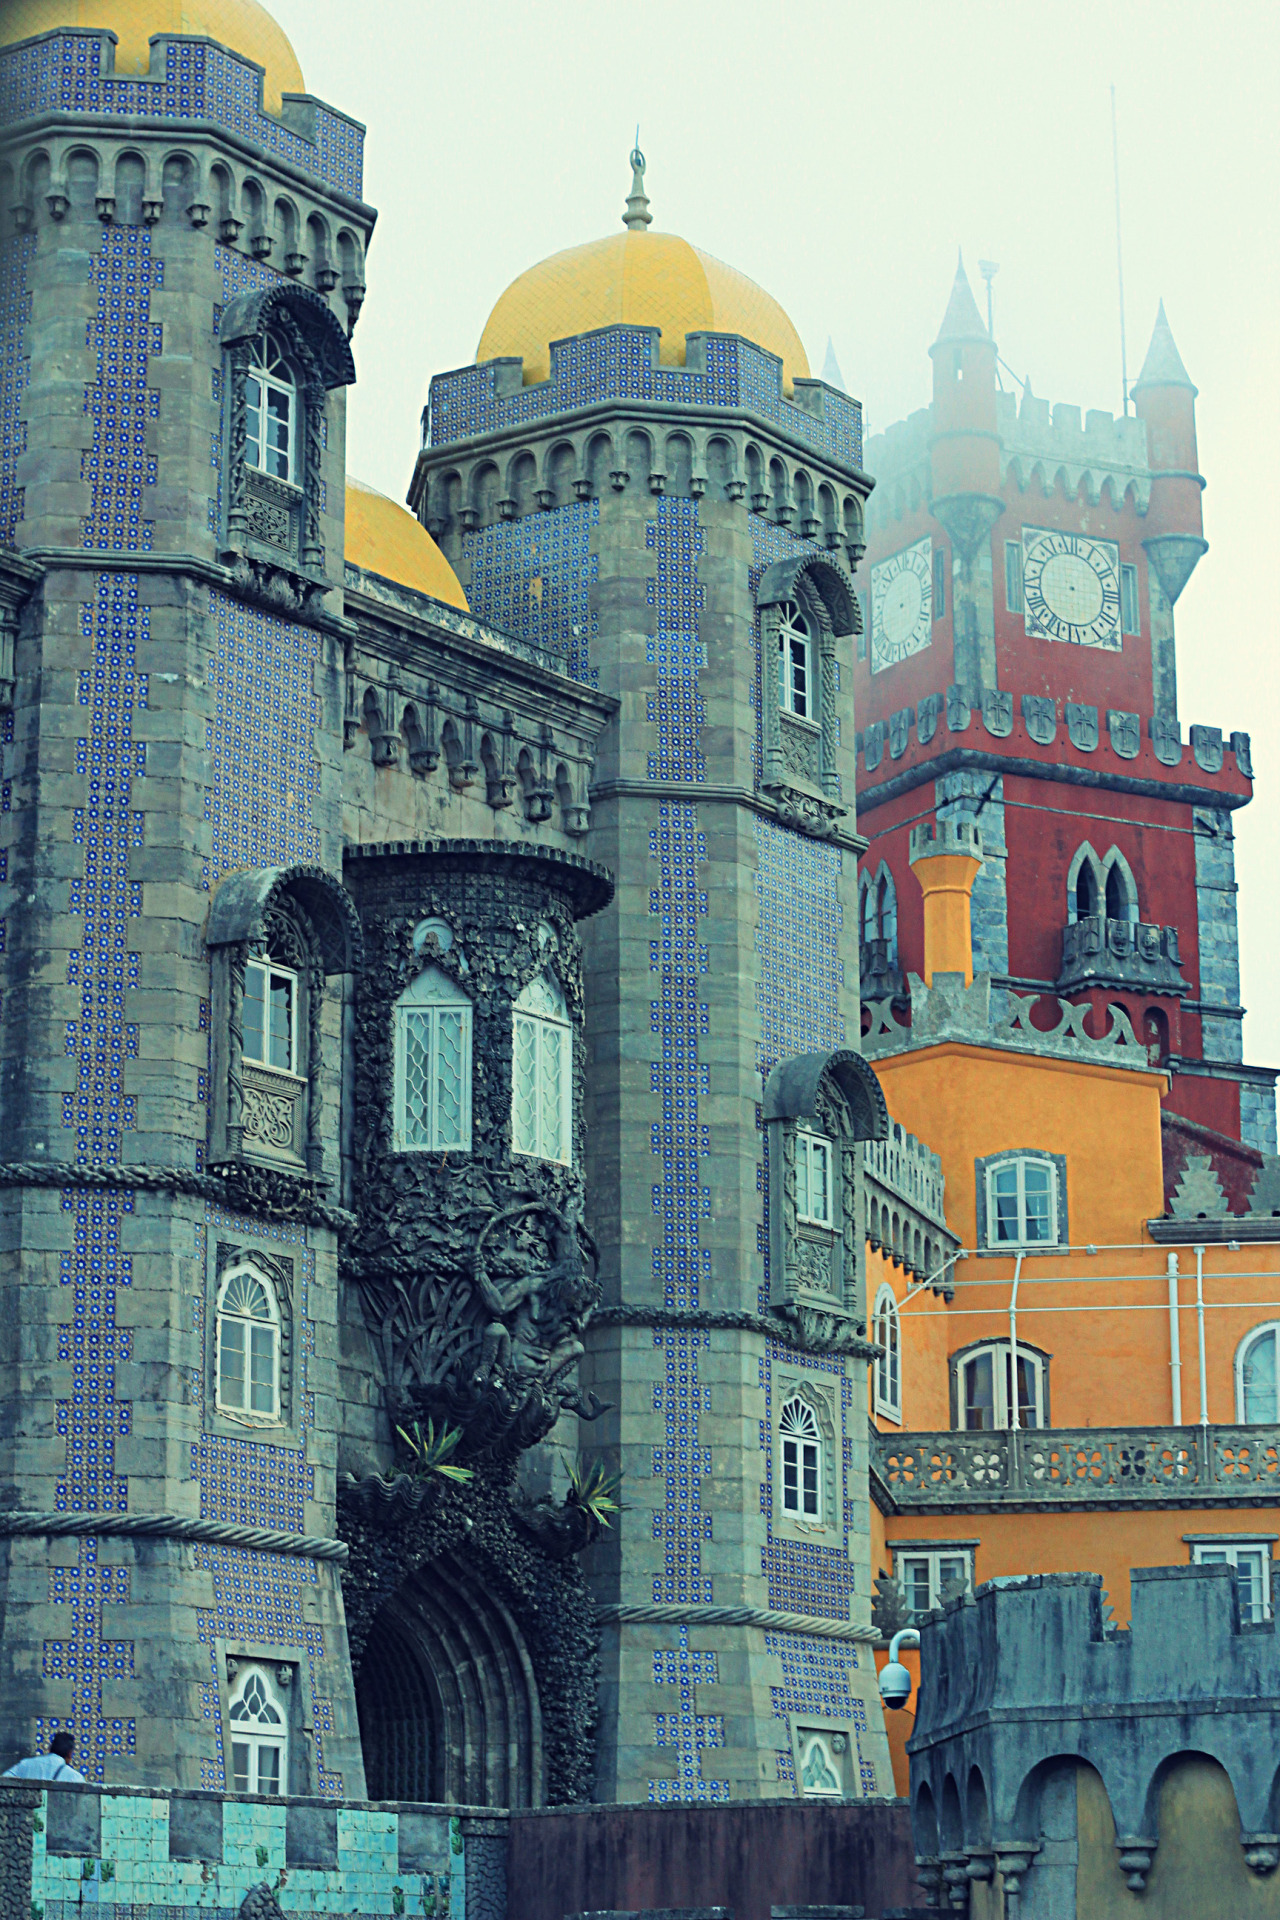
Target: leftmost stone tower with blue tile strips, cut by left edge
[[181, 268]]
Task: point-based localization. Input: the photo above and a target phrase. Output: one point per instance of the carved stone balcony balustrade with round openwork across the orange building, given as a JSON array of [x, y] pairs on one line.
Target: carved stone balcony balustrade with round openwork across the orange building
[[1078, 1468]]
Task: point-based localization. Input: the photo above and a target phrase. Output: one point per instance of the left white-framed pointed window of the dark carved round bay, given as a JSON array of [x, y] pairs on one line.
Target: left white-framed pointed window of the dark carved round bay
[[433, 1067]]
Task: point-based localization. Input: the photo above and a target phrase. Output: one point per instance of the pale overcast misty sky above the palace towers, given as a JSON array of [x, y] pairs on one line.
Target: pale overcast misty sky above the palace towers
[[840, 155]]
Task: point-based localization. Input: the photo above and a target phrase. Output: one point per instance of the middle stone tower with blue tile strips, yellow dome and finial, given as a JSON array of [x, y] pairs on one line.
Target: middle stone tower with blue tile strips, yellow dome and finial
[[640, 477]]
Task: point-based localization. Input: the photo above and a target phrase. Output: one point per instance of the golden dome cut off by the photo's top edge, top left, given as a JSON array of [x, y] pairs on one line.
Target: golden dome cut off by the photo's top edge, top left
[[243, 26]]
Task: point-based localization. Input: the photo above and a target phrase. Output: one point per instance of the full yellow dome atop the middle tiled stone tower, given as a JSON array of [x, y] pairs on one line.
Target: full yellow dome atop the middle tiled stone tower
[[636, 279]]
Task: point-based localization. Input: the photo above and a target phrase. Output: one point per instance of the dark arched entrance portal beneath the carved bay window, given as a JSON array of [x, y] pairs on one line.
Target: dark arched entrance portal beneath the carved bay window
[[448, 1698]]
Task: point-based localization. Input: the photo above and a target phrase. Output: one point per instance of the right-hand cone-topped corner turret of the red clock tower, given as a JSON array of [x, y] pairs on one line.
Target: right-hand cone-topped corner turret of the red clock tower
[[1166, 402]]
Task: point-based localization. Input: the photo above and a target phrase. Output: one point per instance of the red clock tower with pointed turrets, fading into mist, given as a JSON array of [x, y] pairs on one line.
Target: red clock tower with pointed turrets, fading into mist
[[1018, 669]]
